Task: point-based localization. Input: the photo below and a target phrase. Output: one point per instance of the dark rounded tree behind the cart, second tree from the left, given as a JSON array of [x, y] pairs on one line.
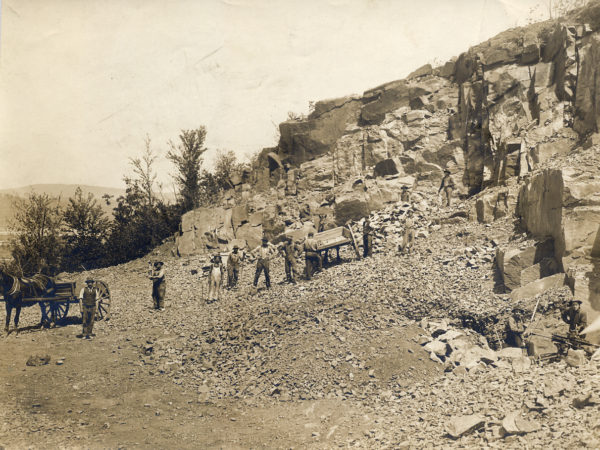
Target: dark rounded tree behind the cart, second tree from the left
[[86, 230]]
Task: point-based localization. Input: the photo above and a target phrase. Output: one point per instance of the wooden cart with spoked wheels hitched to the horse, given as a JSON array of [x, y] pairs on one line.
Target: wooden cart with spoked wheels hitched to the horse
[[55, 305]]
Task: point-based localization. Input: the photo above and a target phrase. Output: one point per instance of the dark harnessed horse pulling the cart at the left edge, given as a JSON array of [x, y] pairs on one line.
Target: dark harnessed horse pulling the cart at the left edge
[[15, 289]]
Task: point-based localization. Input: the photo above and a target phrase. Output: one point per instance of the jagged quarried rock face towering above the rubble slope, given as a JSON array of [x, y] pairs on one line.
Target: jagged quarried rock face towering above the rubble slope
[[514, 119]]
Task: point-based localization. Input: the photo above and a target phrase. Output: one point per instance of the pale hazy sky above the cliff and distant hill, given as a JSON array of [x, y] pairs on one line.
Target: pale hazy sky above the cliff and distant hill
[[83, 82]]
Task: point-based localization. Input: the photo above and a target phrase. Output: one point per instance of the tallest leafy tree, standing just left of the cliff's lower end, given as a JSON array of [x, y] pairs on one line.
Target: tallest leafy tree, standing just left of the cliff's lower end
[[187, 158]]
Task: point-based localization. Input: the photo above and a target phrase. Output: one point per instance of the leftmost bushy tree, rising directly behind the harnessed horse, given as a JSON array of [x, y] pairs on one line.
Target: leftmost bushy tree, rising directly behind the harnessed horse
[[38, 245]]
